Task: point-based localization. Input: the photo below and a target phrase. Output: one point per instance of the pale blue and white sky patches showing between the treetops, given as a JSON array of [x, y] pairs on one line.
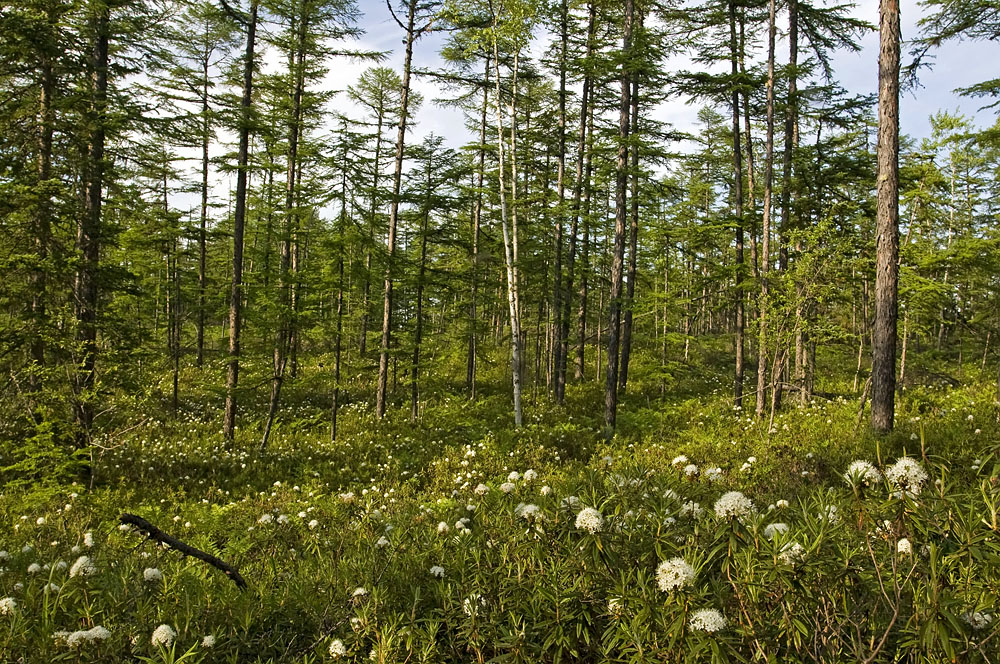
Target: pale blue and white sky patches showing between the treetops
[[956, 64]]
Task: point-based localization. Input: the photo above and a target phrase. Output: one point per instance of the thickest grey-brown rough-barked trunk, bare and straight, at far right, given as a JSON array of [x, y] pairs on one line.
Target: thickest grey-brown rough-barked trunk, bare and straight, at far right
[[887, 222]]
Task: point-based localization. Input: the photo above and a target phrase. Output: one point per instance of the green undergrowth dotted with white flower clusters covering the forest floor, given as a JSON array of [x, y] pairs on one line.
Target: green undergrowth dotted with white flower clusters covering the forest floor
[[460, 539]]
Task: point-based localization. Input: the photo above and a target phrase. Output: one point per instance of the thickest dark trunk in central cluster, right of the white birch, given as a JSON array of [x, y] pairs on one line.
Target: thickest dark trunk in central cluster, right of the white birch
[[618, 257]]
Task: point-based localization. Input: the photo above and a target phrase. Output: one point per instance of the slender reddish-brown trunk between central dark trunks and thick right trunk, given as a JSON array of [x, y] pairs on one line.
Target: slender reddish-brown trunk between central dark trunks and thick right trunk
[[765, 262]]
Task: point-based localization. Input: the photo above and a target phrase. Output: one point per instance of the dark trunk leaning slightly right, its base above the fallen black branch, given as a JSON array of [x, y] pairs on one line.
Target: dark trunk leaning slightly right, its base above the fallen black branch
[[239, 223]]
